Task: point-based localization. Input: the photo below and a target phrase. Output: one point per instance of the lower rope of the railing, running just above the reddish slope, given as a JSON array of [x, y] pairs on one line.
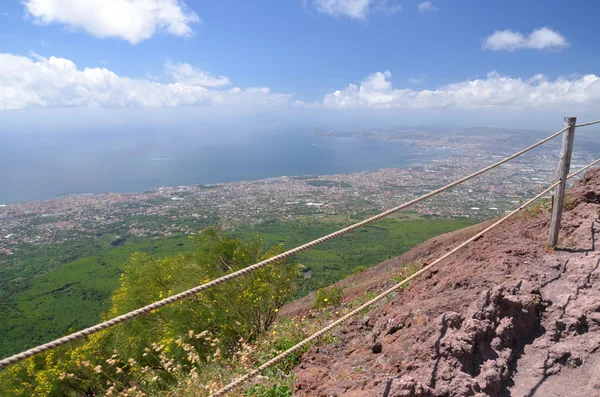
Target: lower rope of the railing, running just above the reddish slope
[[326, 329]]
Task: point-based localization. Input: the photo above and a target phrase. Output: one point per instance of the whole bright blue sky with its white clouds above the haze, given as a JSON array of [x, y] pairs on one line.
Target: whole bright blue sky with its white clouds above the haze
[[400, 55]]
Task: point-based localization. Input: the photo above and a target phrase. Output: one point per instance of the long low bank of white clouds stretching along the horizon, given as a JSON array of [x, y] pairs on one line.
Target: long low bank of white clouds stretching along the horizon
[[35, 81]]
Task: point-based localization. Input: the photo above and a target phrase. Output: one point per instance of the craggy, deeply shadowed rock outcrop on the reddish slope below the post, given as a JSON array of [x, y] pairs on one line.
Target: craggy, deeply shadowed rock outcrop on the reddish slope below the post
[[486, 344]]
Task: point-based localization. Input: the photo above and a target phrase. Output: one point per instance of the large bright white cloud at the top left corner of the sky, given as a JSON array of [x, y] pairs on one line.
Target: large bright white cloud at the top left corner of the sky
[[131, 20]]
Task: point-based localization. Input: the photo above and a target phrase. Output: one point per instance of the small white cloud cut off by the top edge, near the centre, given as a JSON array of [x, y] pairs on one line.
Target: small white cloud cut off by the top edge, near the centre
[[355, 9]]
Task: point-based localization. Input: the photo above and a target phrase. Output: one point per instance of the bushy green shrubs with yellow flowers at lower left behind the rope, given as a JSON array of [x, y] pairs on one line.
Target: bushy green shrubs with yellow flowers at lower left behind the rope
[[152, 353]]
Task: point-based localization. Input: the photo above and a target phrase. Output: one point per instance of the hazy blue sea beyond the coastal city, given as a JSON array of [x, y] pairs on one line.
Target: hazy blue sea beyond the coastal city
[[37, 166]]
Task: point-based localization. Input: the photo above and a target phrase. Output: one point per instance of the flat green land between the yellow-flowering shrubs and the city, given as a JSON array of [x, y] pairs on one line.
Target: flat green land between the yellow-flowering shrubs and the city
[[45, 305]]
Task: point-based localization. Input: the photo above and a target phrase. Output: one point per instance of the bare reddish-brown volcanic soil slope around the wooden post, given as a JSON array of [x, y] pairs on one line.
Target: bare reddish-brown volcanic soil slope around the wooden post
[[505, 316]]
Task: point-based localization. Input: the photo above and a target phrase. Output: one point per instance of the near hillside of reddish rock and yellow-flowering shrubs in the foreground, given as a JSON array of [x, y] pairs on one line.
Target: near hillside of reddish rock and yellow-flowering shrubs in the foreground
[[505, 316]]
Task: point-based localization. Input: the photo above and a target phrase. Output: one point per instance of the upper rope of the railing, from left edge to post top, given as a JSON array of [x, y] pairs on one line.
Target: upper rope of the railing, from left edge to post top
[[185, 294]]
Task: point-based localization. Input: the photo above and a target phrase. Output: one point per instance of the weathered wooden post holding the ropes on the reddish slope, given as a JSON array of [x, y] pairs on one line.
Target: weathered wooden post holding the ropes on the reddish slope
[[564, 165]]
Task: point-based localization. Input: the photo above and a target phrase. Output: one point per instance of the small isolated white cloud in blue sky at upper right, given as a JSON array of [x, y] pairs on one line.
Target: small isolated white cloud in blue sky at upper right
[[539, 39]]
